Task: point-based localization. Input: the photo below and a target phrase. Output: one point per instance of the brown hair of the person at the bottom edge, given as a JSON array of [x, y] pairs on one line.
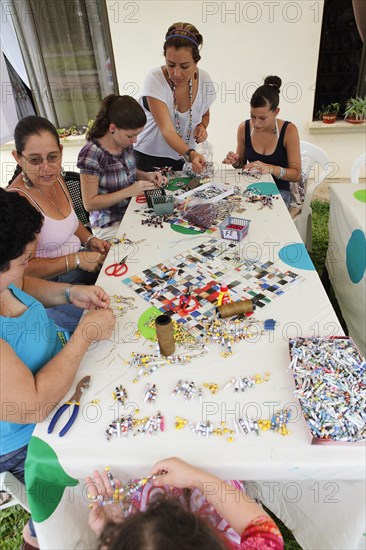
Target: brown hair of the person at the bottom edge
[[164, 525]]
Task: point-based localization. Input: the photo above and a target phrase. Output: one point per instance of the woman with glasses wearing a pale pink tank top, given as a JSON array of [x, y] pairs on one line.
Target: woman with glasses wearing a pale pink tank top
[[66, 251]]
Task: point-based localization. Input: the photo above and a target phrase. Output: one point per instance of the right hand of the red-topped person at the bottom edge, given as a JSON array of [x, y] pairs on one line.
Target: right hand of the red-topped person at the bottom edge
[[178, 474]]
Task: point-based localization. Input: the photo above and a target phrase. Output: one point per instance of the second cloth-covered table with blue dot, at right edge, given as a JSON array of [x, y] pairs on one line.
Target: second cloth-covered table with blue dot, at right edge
[[346, 256]]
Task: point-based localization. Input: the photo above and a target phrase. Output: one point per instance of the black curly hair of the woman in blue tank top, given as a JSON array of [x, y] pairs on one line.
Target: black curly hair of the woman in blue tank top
[[20, 223]]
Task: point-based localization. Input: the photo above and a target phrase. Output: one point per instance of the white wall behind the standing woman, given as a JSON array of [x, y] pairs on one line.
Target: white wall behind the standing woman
[[243, 42]]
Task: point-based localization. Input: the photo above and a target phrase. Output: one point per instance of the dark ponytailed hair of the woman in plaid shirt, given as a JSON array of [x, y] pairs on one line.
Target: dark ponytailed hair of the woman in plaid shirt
[[122, 110]]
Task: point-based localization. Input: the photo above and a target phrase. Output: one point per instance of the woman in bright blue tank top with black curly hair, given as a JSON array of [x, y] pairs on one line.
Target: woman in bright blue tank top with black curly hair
[[37, 365]]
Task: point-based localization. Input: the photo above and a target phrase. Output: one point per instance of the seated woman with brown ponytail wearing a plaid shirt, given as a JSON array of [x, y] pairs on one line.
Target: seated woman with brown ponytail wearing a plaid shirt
[[107, 165]]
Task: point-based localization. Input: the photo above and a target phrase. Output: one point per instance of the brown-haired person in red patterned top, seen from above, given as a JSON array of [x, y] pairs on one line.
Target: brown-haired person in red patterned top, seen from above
[[184, 507]]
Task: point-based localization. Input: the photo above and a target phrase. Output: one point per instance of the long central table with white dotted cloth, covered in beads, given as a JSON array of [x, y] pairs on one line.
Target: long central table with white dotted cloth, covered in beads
[[305, 485]]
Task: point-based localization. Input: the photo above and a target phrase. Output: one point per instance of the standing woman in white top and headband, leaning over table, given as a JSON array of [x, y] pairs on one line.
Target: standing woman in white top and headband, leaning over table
[[177, 99]]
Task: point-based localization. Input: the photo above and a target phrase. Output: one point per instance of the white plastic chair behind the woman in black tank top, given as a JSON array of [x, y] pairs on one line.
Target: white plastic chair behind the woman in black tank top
[[303, 221]]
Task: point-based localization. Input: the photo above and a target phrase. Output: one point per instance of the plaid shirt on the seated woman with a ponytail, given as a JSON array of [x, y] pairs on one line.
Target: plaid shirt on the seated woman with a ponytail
[[115, 172]]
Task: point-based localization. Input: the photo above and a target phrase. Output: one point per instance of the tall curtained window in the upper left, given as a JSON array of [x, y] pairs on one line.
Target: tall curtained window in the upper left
[[67, 50]]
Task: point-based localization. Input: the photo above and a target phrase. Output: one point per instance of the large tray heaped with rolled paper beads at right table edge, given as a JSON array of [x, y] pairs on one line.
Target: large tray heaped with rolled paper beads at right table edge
[[330, 380]]
